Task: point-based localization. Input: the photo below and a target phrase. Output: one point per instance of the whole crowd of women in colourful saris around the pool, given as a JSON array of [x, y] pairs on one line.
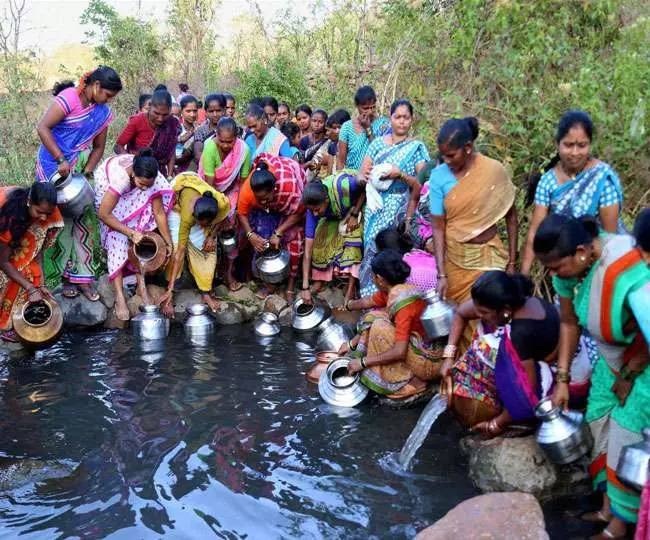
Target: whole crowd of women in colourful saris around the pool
[[358, 199]]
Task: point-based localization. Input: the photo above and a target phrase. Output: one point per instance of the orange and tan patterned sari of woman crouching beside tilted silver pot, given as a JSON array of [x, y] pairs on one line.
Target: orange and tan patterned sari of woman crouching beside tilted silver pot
[[422, 359]]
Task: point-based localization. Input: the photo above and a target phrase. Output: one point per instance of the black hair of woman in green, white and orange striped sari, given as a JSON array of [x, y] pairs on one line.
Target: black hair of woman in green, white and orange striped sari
[[559, 235]]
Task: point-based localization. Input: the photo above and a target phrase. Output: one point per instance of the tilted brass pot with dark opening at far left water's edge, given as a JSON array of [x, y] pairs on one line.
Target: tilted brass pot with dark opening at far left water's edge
[[38, 324]]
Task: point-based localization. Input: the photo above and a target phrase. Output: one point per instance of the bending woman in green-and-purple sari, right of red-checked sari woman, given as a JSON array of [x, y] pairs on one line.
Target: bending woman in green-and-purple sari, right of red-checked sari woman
[[332, 245]]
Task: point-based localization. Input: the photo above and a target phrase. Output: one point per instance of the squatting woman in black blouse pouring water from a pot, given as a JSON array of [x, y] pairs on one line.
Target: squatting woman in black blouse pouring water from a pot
[[504, 373]]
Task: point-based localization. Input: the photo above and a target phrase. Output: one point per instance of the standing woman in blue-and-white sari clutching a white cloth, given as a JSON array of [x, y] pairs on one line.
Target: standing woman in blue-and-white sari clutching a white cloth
[[402, 157]]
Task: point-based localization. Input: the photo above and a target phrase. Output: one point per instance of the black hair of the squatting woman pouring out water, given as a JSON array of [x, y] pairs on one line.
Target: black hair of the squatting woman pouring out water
[[496, 290]]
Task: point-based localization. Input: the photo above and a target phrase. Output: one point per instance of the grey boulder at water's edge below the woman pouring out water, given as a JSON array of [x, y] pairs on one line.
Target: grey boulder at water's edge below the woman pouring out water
[[518, 464]]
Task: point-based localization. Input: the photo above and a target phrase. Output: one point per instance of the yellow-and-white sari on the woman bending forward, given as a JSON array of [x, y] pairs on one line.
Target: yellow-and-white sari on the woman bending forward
[[188, 234]]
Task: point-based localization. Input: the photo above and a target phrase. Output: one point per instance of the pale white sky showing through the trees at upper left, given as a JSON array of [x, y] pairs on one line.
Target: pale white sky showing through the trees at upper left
[[52, 23]]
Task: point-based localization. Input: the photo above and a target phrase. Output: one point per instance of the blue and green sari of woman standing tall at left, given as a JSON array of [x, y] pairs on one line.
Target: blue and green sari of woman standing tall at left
[[74, 256]]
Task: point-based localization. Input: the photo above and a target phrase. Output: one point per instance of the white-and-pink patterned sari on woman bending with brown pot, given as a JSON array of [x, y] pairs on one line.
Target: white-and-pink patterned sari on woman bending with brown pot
[[133, 209]]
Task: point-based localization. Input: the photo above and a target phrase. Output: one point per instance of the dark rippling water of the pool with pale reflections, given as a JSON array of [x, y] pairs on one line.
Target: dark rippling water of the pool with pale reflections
[[229, 442]]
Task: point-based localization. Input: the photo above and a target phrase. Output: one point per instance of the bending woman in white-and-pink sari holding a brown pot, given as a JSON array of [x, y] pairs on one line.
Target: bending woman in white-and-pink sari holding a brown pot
[[131, 198]]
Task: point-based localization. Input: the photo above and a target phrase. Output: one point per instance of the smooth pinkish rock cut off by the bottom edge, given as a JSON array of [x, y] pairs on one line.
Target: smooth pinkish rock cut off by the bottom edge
[[491, 517]]
